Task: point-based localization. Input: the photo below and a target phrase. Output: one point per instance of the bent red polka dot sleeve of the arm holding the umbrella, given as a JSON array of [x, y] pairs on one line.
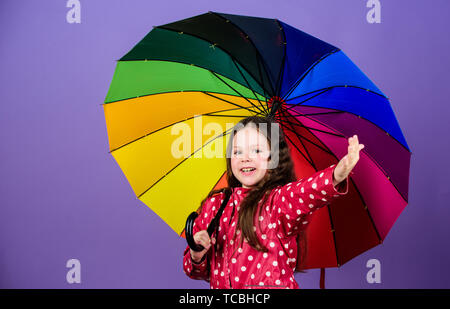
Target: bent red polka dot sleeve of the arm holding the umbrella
[[200, 271]]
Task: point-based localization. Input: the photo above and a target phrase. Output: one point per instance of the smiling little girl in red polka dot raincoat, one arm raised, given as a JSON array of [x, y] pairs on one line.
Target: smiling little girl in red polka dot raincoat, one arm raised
[[256, 241]]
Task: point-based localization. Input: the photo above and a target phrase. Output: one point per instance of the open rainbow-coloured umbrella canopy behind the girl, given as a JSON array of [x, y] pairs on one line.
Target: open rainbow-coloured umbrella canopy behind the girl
[[212, 70]]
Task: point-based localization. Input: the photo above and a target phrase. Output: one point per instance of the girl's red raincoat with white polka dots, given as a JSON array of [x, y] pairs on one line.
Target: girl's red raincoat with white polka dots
[[286, 211]]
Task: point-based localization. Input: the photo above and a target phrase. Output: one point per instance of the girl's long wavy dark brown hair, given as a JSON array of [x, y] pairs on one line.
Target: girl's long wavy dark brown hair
[[282, 174]]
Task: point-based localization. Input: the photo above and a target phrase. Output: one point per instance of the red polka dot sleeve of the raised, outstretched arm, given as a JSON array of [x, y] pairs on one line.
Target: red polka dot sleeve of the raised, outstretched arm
[[296, 201]]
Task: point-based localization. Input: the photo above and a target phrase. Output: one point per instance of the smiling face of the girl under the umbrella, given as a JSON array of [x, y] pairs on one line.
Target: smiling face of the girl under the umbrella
[[249, 158]]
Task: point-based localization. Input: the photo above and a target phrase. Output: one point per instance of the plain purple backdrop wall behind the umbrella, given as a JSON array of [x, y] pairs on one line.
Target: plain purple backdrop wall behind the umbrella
[[62, 196]]
